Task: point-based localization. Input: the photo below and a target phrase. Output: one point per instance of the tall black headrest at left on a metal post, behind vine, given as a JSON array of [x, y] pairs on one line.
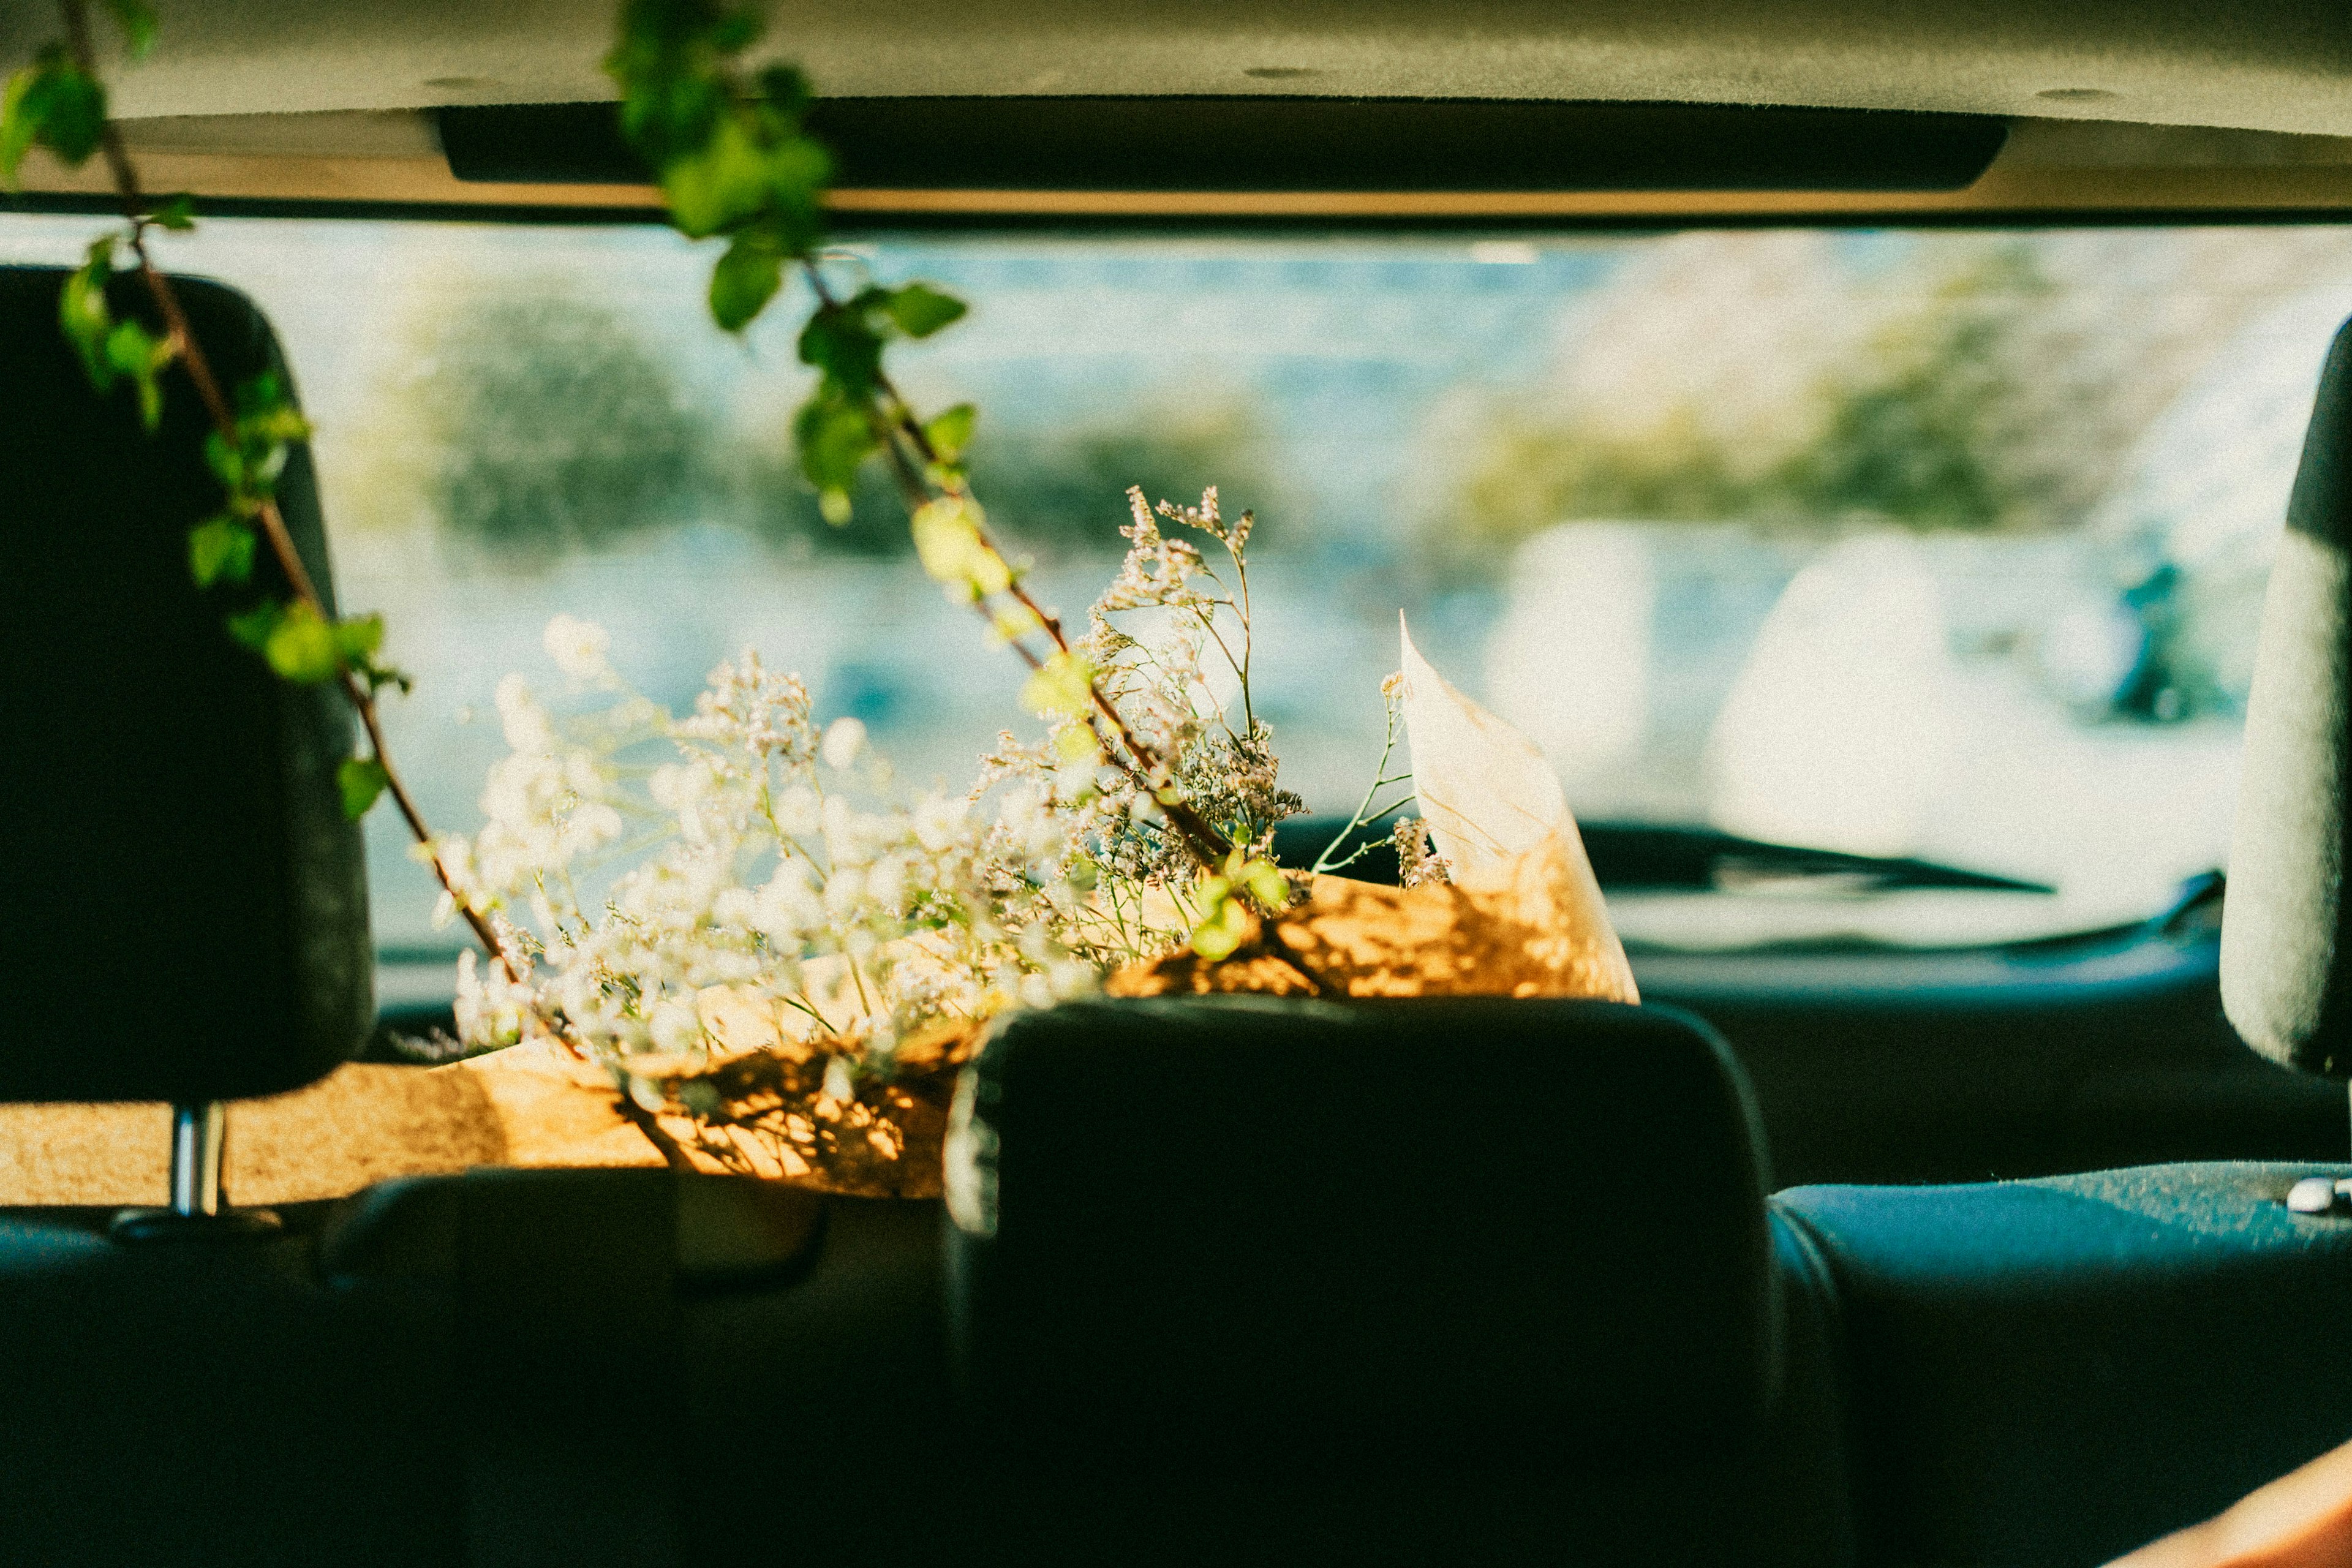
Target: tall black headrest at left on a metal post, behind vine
[[182, 904]]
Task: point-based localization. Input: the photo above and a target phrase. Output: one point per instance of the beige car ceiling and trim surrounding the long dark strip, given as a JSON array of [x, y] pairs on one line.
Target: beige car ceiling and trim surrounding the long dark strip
[[319, 100]]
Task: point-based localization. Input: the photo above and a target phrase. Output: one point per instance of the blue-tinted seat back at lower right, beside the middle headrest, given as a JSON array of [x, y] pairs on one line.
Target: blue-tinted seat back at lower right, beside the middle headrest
[[2057, 1372]]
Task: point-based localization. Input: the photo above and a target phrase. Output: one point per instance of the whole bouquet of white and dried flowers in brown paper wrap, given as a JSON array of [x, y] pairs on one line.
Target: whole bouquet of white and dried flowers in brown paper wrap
[[796, 953]]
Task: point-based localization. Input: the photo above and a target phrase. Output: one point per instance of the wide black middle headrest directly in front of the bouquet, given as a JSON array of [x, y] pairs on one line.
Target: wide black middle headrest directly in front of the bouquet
[[1403, 1228]]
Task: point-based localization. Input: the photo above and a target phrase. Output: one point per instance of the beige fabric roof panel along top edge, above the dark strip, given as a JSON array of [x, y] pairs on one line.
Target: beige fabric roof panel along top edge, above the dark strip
[[2257, 65]]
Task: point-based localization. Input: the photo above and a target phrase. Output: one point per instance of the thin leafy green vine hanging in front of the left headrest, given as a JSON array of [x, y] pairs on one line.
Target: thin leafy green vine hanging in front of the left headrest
[[60, 105]]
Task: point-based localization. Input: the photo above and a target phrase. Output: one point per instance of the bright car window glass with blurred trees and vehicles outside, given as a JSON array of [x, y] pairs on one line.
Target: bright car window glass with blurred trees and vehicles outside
[[1920, 544]]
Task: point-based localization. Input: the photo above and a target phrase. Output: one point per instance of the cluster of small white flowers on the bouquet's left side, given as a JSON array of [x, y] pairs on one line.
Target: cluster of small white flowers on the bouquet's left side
[[796, 930]]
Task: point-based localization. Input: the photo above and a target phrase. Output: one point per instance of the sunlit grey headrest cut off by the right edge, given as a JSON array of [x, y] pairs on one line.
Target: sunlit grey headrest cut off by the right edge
[[2285, 953]]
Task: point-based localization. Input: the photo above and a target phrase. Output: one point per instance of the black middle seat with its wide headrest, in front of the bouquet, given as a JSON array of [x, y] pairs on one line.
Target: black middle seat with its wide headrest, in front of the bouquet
[[1452, 1280]]
